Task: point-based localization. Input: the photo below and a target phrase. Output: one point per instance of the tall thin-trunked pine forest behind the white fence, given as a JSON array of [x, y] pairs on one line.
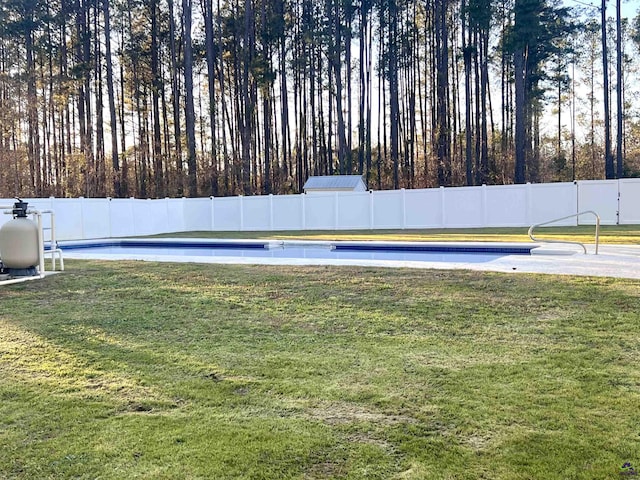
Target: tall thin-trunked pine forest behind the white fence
[[154, 98]]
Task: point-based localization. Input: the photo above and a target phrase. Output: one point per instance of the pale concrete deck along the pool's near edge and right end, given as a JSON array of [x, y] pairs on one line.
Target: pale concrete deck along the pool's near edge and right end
[[621, 261]]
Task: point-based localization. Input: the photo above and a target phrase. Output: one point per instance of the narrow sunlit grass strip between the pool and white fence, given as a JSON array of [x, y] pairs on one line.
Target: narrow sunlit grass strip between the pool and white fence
[[611, 234]]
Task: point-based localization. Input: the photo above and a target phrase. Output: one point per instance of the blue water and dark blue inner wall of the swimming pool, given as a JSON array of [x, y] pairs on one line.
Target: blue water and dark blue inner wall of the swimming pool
[[403, 251]]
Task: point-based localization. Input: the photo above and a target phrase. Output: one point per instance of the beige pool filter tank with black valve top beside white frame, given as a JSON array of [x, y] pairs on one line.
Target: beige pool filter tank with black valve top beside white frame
[[19, 249]]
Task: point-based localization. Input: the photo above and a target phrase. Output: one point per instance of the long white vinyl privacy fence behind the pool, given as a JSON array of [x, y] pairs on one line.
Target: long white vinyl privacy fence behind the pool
[[616, 201]]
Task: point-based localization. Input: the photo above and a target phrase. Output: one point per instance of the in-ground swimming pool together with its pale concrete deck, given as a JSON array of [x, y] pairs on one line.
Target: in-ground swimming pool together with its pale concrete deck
[[621, 261]]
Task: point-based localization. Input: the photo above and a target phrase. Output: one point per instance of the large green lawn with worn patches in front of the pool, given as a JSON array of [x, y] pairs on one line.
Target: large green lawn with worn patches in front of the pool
[[119, 370]]
